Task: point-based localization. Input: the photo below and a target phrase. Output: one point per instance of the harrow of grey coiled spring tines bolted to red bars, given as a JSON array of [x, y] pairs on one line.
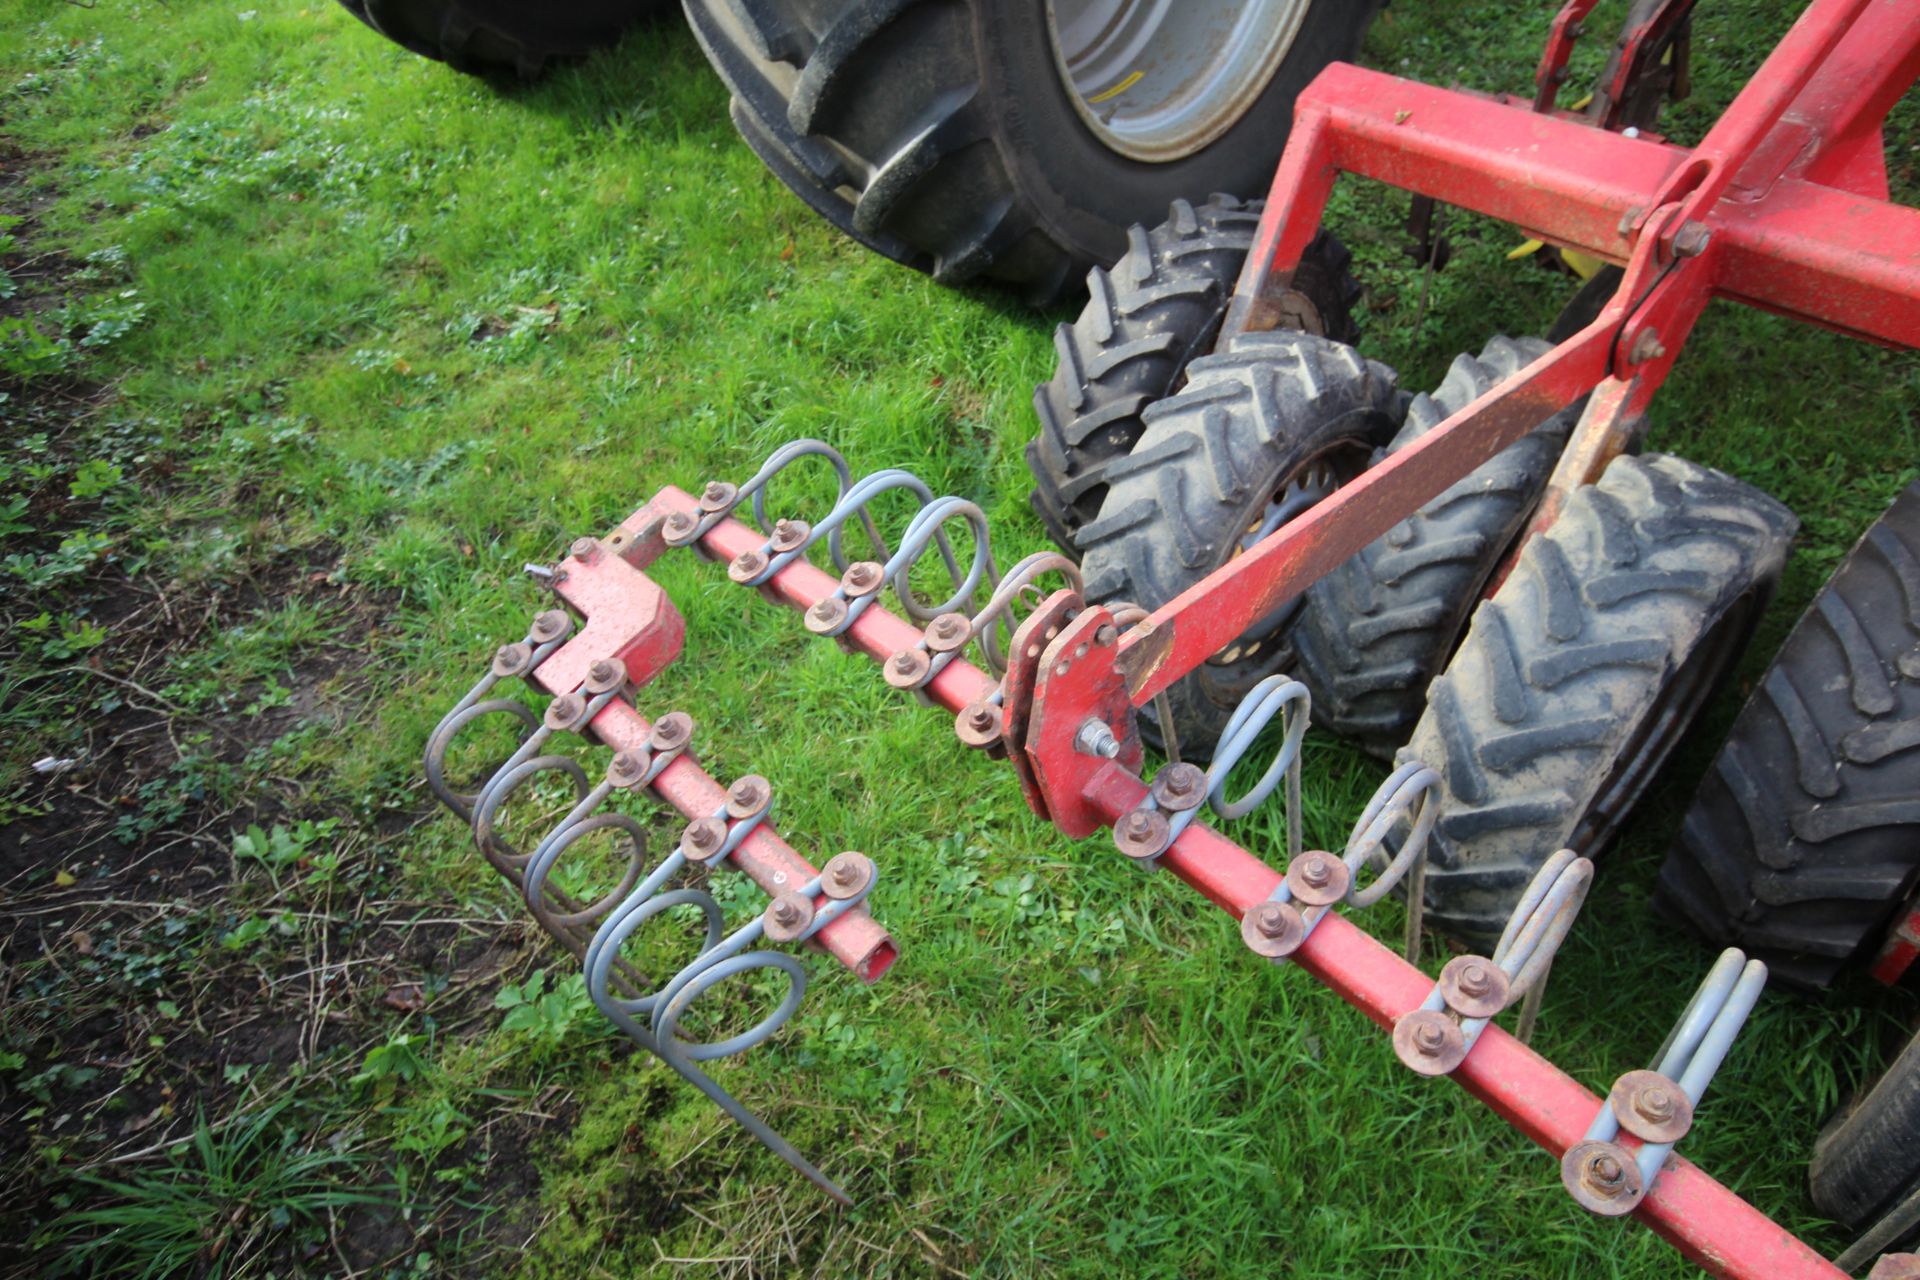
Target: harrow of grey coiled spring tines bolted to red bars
[[996, 667]]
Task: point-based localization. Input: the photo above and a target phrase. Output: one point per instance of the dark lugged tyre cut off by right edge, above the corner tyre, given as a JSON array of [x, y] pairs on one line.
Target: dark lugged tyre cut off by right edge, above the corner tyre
[[1806, 836]]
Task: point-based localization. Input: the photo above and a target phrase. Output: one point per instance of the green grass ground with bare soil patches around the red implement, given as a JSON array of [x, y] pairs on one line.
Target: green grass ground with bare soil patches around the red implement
[[373, 335]]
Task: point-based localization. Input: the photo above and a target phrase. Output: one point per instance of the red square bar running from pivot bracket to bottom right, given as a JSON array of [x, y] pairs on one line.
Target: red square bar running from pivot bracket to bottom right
[[1700, 1218]]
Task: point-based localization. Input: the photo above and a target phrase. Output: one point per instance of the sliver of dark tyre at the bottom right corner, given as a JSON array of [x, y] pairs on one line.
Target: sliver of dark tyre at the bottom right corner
[[1869, 1154]]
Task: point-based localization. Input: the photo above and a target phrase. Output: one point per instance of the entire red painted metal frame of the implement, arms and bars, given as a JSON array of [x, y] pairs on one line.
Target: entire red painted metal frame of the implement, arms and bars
[[1783, 206]]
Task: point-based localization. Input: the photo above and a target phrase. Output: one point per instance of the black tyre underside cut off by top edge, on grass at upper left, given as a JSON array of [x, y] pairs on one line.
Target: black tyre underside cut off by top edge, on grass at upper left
[[500, 39]]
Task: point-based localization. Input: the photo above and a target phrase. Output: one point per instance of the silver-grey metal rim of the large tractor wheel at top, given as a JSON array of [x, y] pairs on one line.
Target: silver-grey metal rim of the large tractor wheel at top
[[1159, 80]]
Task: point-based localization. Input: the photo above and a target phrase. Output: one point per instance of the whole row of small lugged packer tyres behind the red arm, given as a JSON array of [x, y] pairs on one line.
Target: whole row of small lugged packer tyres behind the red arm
[[1545, 678]]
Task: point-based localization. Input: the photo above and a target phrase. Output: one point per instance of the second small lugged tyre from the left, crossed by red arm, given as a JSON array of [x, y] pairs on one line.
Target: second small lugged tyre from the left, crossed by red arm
[[1257, 437]]
